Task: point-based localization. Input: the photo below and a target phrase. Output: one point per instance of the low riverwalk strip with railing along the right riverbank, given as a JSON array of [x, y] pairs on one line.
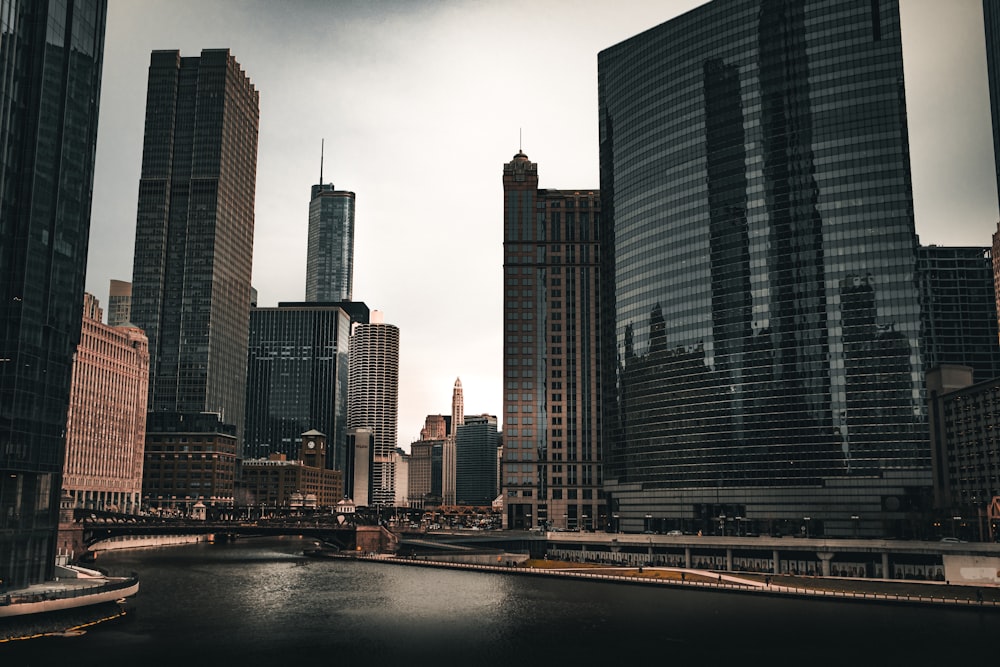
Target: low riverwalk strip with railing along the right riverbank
[[880, 591]]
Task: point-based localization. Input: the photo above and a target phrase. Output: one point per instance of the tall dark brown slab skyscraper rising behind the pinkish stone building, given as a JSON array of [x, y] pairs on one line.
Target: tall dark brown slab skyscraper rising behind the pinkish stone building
[[194, 232]]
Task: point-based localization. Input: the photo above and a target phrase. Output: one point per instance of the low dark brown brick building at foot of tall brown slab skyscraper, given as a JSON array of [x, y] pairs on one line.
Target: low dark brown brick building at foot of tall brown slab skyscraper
[[189, 457]]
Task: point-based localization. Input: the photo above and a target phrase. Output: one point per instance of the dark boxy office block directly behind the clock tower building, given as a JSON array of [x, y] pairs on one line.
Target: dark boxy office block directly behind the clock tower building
[[296, 379]]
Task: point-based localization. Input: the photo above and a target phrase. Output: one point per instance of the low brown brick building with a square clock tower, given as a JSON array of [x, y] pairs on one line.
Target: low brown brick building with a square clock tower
[[275, 482]]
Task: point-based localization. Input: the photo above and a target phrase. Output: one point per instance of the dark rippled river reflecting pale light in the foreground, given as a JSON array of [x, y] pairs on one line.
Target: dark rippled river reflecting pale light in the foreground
[[260, 602]]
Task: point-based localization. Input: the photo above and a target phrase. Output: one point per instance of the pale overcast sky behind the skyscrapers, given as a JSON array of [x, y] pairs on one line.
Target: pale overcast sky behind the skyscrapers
[[421, 102]]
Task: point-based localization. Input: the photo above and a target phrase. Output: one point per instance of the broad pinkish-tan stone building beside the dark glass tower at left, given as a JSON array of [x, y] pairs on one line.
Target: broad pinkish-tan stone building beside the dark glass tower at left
[[106, 427]]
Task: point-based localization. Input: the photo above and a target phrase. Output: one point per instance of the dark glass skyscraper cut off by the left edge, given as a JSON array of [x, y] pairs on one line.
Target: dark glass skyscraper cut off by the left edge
[[51, 61]]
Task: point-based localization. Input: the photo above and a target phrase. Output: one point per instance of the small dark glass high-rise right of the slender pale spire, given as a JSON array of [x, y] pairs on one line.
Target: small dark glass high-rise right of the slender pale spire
[[476, 442]]
